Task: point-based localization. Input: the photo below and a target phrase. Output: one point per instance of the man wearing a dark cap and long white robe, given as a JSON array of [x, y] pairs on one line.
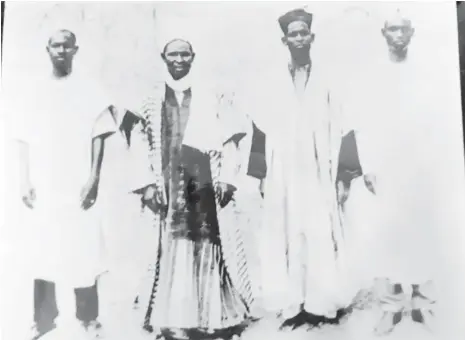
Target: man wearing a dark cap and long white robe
[[302, 276]]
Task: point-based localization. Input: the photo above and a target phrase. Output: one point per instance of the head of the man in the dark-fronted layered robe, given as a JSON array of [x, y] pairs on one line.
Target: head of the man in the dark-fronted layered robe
[[178, 56]]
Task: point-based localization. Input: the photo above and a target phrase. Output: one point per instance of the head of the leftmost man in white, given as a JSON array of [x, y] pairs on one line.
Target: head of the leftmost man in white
[[62, 48]]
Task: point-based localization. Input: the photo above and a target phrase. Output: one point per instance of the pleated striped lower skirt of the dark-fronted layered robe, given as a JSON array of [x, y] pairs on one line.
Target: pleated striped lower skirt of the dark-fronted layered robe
[[194, 289]]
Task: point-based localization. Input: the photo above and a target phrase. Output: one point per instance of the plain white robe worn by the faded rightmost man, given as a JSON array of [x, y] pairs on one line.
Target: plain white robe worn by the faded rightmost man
[[397, 227]]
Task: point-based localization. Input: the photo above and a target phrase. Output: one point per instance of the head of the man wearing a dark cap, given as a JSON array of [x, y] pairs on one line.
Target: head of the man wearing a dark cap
[[297, 28]]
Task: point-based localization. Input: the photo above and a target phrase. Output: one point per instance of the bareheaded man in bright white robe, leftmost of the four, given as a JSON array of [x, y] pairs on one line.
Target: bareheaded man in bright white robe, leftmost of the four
[[59, 176]]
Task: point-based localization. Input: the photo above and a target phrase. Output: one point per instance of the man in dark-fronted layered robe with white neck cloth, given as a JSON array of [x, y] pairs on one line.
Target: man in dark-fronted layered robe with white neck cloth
[[195, 292]]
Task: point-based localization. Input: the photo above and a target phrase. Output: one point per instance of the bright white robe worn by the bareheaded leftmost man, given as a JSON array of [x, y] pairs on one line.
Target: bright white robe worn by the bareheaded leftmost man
[[56, 119]]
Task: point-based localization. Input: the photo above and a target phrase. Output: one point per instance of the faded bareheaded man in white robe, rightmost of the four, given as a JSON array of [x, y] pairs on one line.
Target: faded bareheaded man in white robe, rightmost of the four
[[398, 213]]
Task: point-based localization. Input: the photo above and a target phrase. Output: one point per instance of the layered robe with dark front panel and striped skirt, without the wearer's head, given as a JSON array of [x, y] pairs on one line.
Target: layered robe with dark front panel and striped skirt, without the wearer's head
[[207, 273]]
